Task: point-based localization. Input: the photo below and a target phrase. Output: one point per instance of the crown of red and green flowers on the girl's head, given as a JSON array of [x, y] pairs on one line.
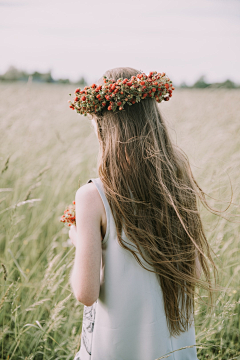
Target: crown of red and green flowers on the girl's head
[[115, 94]]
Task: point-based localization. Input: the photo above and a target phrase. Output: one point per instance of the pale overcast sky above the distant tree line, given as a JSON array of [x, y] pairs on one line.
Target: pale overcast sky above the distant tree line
[[73, 38]]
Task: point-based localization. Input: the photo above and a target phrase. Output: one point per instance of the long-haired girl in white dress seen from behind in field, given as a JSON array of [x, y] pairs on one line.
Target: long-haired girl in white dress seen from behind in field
[[140, 244]]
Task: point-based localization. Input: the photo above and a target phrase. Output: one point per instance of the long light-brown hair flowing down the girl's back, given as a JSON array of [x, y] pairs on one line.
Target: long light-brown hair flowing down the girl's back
[[153, 197]]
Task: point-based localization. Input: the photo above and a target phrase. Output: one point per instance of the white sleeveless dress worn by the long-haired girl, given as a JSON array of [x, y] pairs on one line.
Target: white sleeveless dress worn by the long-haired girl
[[128, 321]]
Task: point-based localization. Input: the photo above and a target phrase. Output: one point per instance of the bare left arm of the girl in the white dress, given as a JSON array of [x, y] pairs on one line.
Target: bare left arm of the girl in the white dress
[[86, 236]]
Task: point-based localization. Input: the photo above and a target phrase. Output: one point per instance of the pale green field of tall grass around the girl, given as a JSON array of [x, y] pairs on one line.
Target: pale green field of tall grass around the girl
[[46, 152]]
